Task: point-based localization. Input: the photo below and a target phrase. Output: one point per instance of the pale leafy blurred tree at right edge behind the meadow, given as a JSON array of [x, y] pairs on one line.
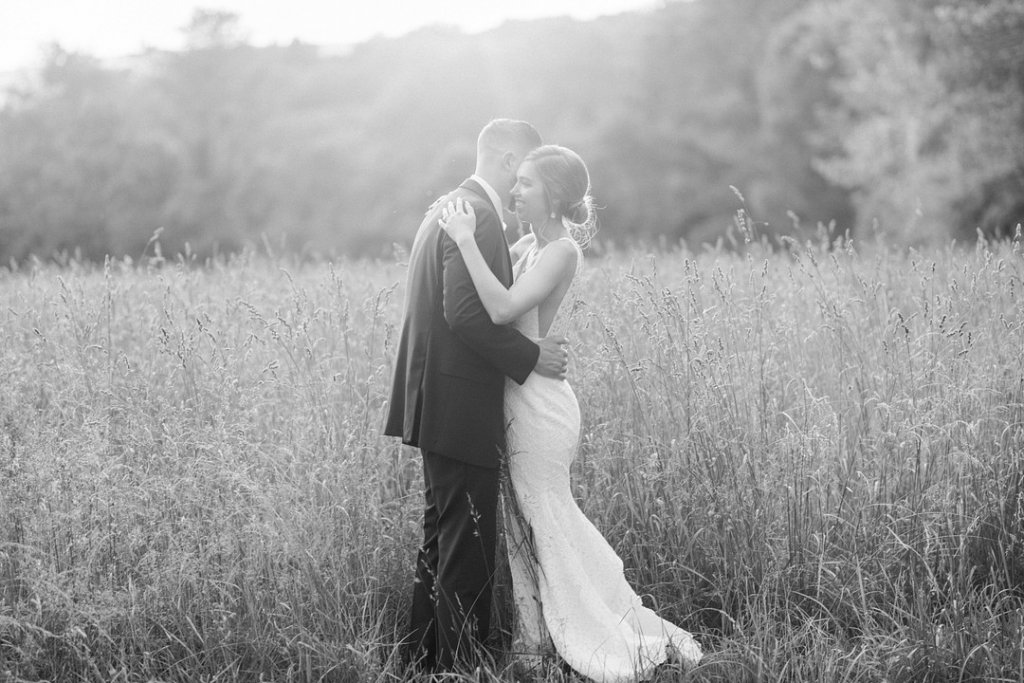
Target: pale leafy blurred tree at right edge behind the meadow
[[908, 136]]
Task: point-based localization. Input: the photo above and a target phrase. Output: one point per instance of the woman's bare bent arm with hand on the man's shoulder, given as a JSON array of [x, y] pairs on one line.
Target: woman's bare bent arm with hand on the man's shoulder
[[505, 306]]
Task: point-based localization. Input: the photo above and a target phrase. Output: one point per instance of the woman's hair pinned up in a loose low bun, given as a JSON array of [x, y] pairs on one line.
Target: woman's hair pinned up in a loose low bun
[[567, 185]]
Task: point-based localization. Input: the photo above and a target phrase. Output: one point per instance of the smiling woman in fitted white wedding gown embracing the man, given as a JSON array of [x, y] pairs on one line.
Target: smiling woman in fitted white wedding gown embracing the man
[[569, 585]]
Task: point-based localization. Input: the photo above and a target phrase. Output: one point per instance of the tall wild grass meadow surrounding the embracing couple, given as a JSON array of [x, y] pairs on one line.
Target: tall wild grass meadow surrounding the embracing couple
[[810, 457]]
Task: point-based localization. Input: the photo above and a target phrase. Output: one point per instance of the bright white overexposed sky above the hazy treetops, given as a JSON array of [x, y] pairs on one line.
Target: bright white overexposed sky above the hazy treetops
[[116, 28]]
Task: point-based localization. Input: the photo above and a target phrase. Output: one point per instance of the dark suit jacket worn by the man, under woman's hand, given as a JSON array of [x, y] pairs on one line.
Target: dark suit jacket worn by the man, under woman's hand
[[448, 394]]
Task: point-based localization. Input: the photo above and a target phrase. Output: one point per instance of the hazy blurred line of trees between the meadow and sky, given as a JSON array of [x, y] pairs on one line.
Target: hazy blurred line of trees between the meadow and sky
[[903, 119]]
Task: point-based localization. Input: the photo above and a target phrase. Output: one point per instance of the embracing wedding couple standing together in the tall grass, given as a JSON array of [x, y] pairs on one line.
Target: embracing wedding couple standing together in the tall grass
[[481, 376]]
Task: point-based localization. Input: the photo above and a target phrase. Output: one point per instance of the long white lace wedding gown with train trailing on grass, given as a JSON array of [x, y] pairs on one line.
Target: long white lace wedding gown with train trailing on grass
[[574, 595]]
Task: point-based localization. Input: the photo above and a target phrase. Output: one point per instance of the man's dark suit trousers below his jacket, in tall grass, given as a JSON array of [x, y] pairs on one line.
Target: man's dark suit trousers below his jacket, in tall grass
[[455, 567]]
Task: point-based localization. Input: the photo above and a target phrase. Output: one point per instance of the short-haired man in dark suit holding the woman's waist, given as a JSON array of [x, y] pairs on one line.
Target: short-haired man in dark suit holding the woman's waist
[[448, 398]]
